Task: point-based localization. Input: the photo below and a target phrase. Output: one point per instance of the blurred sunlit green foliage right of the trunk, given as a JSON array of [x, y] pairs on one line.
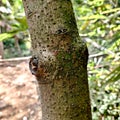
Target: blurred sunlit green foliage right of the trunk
[[98, 22]]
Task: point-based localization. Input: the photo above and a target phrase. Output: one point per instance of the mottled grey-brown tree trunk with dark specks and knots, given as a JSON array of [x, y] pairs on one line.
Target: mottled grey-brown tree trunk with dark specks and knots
[[59, 60]]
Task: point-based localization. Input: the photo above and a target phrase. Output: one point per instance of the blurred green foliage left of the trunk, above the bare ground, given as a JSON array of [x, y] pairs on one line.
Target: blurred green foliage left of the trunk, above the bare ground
[[13, 25]]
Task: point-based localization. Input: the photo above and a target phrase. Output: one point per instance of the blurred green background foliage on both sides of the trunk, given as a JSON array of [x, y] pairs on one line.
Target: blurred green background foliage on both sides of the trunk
[[99, 25]]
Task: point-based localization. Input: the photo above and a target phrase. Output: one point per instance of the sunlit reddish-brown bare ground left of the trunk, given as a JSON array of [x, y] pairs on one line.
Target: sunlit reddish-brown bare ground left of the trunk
[[18, 94]]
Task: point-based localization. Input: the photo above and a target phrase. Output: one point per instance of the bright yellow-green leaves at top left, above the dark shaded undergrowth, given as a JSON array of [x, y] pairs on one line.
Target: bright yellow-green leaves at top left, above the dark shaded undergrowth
[[13, 14]]
